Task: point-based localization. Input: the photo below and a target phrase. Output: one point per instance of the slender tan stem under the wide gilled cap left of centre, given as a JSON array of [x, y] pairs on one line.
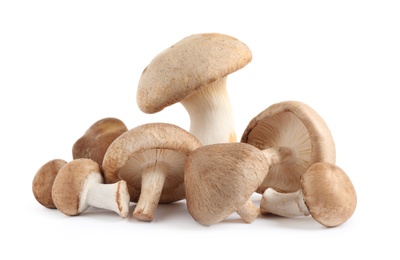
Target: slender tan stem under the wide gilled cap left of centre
[[153, 179]]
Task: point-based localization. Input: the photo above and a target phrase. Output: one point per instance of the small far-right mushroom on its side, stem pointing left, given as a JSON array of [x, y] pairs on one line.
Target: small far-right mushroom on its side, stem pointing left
[[327, 194]]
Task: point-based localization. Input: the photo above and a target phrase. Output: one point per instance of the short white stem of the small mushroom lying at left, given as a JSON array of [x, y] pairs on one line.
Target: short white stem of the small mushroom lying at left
[[114, 197]]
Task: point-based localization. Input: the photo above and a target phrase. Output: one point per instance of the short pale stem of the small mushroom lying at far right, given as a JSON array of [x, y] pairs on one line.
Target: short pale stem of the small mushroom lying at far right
[[283, 204]]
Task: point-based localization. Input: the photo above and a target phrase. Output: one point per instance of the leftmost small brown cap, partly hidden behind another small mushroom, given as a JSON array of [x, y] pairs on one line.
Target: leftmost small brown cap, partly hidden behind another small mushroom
[[42, 183]]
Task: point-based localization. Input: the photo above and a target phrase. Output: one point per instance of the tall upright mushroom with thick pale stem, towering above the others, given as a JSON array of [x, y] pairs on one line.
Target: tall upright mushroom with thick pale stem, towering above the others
[[193, 72]]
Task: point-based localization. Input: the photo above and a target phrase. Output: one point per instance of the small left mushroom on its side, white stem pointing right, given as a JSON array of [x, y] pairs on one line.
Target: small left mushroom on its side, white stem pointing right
[[80, 184]]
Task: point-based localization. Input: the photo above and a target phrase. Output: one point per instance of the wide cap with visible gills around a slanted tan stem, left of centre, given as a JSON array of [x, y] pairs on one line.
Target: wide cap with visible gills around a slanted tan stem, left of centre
[[144, 146]]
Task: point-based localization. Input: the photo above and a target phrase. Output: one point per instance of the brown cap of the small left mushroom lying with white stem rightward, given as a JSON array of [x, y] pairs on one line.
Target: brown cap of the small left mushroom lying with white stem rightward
[[70, 182]]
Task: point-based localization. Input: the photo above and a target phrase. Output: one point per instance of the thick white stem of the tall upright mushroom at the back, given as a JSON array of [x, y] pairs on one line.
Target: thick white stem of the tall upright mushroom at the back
[[210, 111]]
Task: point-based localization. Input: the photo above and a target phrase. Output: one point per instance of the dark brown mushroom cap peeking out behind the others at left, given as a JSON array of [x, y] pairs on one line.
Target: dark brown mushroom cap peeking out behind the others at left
[[95, 141]]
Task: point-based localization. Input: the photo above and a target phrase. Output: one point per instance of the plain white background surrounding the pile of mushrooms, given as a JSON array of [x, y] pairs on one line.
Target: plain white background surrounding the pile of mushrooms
[[66, 64]]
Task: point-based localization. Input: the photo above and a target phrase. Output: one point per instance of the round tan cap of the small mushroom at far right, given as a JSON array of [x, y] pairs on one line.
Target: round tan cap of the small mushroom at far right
[[328, 194]]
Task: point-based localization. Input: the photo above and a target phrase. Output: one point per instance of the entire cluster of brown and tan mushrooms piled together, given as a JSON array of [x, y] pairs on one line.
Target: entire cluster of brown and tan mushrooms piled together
[[286, 153]]
